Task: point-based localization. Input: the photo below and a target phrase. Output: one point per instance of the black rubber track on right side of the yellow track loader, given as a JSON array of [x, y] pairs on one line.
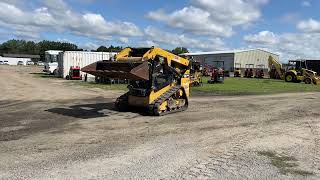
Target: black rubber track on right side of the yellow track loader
[[153, 108]]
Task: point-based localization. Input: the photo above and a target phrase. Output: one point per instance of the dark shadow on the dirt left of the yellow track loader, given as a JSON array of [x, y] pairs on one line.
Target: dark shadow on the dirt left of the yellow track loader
[[89, 111]]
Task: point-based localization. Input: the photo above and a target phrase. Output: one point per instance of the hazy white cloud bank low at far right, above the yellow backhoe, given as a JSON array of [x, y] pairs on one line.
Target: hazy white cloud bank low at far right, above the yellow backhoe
[[288, 45]]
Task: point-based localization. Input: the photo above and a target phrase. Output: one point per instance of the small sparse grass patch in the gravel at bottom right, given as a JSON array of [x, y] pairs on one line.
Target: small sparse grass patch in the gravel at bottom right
[[285, 164]]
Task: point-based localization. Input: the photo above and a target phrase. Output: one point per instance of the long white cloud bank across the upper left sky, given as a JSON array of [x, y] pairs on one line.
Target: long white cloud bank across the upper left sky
[[55, 15]]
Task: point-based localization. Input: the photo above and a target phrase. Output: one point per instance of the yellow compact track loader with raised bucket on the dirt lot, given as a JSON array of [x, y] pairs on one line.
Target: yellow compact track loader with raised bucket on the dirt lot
[[159, 80]]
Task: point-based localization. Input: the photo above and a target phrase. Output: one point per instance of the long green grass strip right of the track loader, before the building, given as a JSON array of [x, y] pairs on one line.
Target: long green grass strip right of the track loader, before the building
[[245, 86]]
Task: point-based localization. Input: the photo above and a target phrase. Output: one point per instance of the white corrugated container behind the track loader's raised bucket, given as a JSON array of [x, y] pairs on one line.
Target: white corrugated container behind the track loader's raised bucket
[[80, 59]]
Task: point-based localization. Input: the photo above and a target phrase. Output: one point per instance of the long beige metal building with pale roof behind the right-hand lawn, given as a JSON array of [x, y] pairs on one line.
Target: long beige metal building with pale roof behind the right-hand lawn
[[242, 58]]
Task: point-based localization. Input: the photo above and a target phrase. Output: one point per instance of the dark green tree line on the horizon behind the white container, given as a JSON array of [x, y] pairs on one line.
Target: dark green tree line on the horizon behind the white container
[[39, 48]]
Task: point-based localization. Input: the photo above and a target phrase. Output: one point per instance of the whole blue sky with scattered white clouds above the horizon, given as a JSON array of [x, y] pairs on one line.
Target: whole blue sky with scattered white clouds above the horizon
[[290, 28]]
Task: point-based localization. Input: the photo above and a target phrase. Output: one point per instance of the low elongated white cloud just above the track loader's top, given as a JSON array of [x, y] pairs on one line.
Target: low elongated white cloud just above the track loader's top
[[173, 40]]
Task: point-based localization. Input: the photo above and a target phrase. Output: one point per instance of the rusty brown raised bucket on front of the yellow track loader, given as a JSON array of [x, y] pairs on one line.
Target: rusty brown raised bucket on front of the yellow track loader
[[119, 70]]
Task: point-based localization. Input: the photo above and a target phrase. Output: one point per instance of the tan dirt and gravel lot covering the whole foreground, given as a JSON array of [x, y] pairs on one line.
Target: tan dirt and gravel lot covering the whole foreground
[[51, 130]]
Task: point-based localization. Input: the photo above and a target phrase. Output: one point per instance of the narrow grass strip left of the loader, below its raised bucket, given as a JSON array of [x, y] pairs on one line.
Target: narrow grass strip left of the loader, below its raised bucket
[[121, 87]]
